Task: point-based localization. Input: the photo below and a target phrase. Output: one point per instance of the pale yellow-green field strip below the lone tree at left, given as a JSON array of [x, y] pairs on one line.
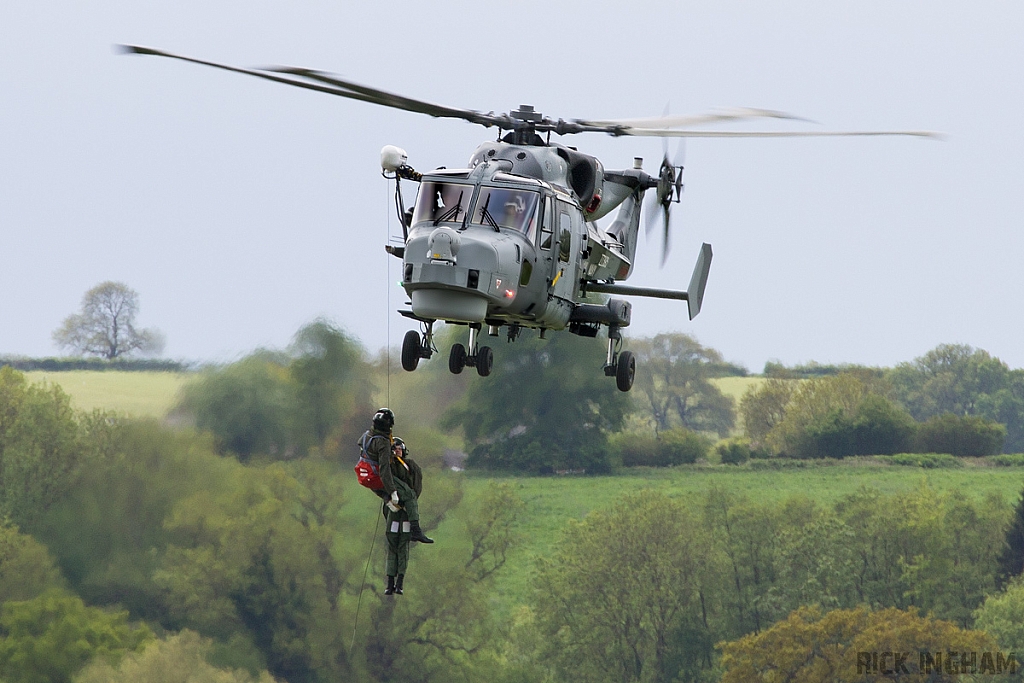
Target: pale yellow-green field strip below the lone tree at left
[[141, 395]]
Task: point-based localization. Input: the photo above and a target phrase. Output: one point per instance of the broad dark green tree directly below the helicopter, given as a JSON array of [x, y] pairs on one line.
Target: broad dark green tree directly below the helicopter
[[542, 409]]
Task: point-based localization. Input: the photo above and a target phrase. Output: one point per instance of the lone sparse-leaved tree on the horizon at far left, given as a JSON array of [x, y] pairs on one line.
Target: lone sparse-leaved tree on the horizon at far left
[[107, 325]]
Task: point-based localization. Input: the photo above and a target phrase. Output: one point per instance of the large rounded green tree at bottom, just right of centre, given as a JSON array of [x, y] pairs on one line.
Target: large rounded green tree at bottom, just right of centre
[[620, 600]]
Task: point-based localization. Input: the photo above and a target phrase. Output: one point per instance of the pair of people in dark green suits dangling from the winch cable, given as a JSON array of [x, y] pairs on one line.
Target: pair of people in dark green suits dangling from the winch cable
[[386, 468]]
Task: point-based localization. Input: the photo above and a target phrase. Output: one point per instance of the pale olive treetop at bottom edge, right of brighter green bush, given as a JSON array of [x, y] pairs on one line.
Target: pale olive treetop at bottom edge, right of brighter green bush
[[179, 659]]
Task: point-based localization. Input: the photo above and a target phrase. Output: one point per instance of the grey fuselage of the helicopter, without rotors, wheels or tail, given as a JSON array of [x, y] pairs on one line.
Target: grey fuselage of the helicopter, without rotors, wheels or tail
[[491, 246]]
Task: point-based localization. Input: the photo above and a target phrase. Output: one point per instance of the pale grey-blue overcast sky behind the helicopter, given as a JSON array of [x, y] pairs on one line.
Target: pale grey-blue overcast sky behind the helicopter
[[241, 210]]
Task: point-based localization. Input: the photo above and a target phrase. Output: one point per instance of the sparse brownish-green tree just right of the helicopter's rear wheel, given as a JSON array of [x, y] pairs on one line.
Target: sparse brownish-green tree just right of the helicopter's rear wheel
[[674, 374]]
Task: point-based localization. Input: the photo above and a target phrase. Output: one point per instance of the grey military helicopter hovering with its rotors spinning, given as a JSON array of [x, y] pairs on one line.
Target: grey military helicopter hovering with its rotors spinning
[[511, 240]]
